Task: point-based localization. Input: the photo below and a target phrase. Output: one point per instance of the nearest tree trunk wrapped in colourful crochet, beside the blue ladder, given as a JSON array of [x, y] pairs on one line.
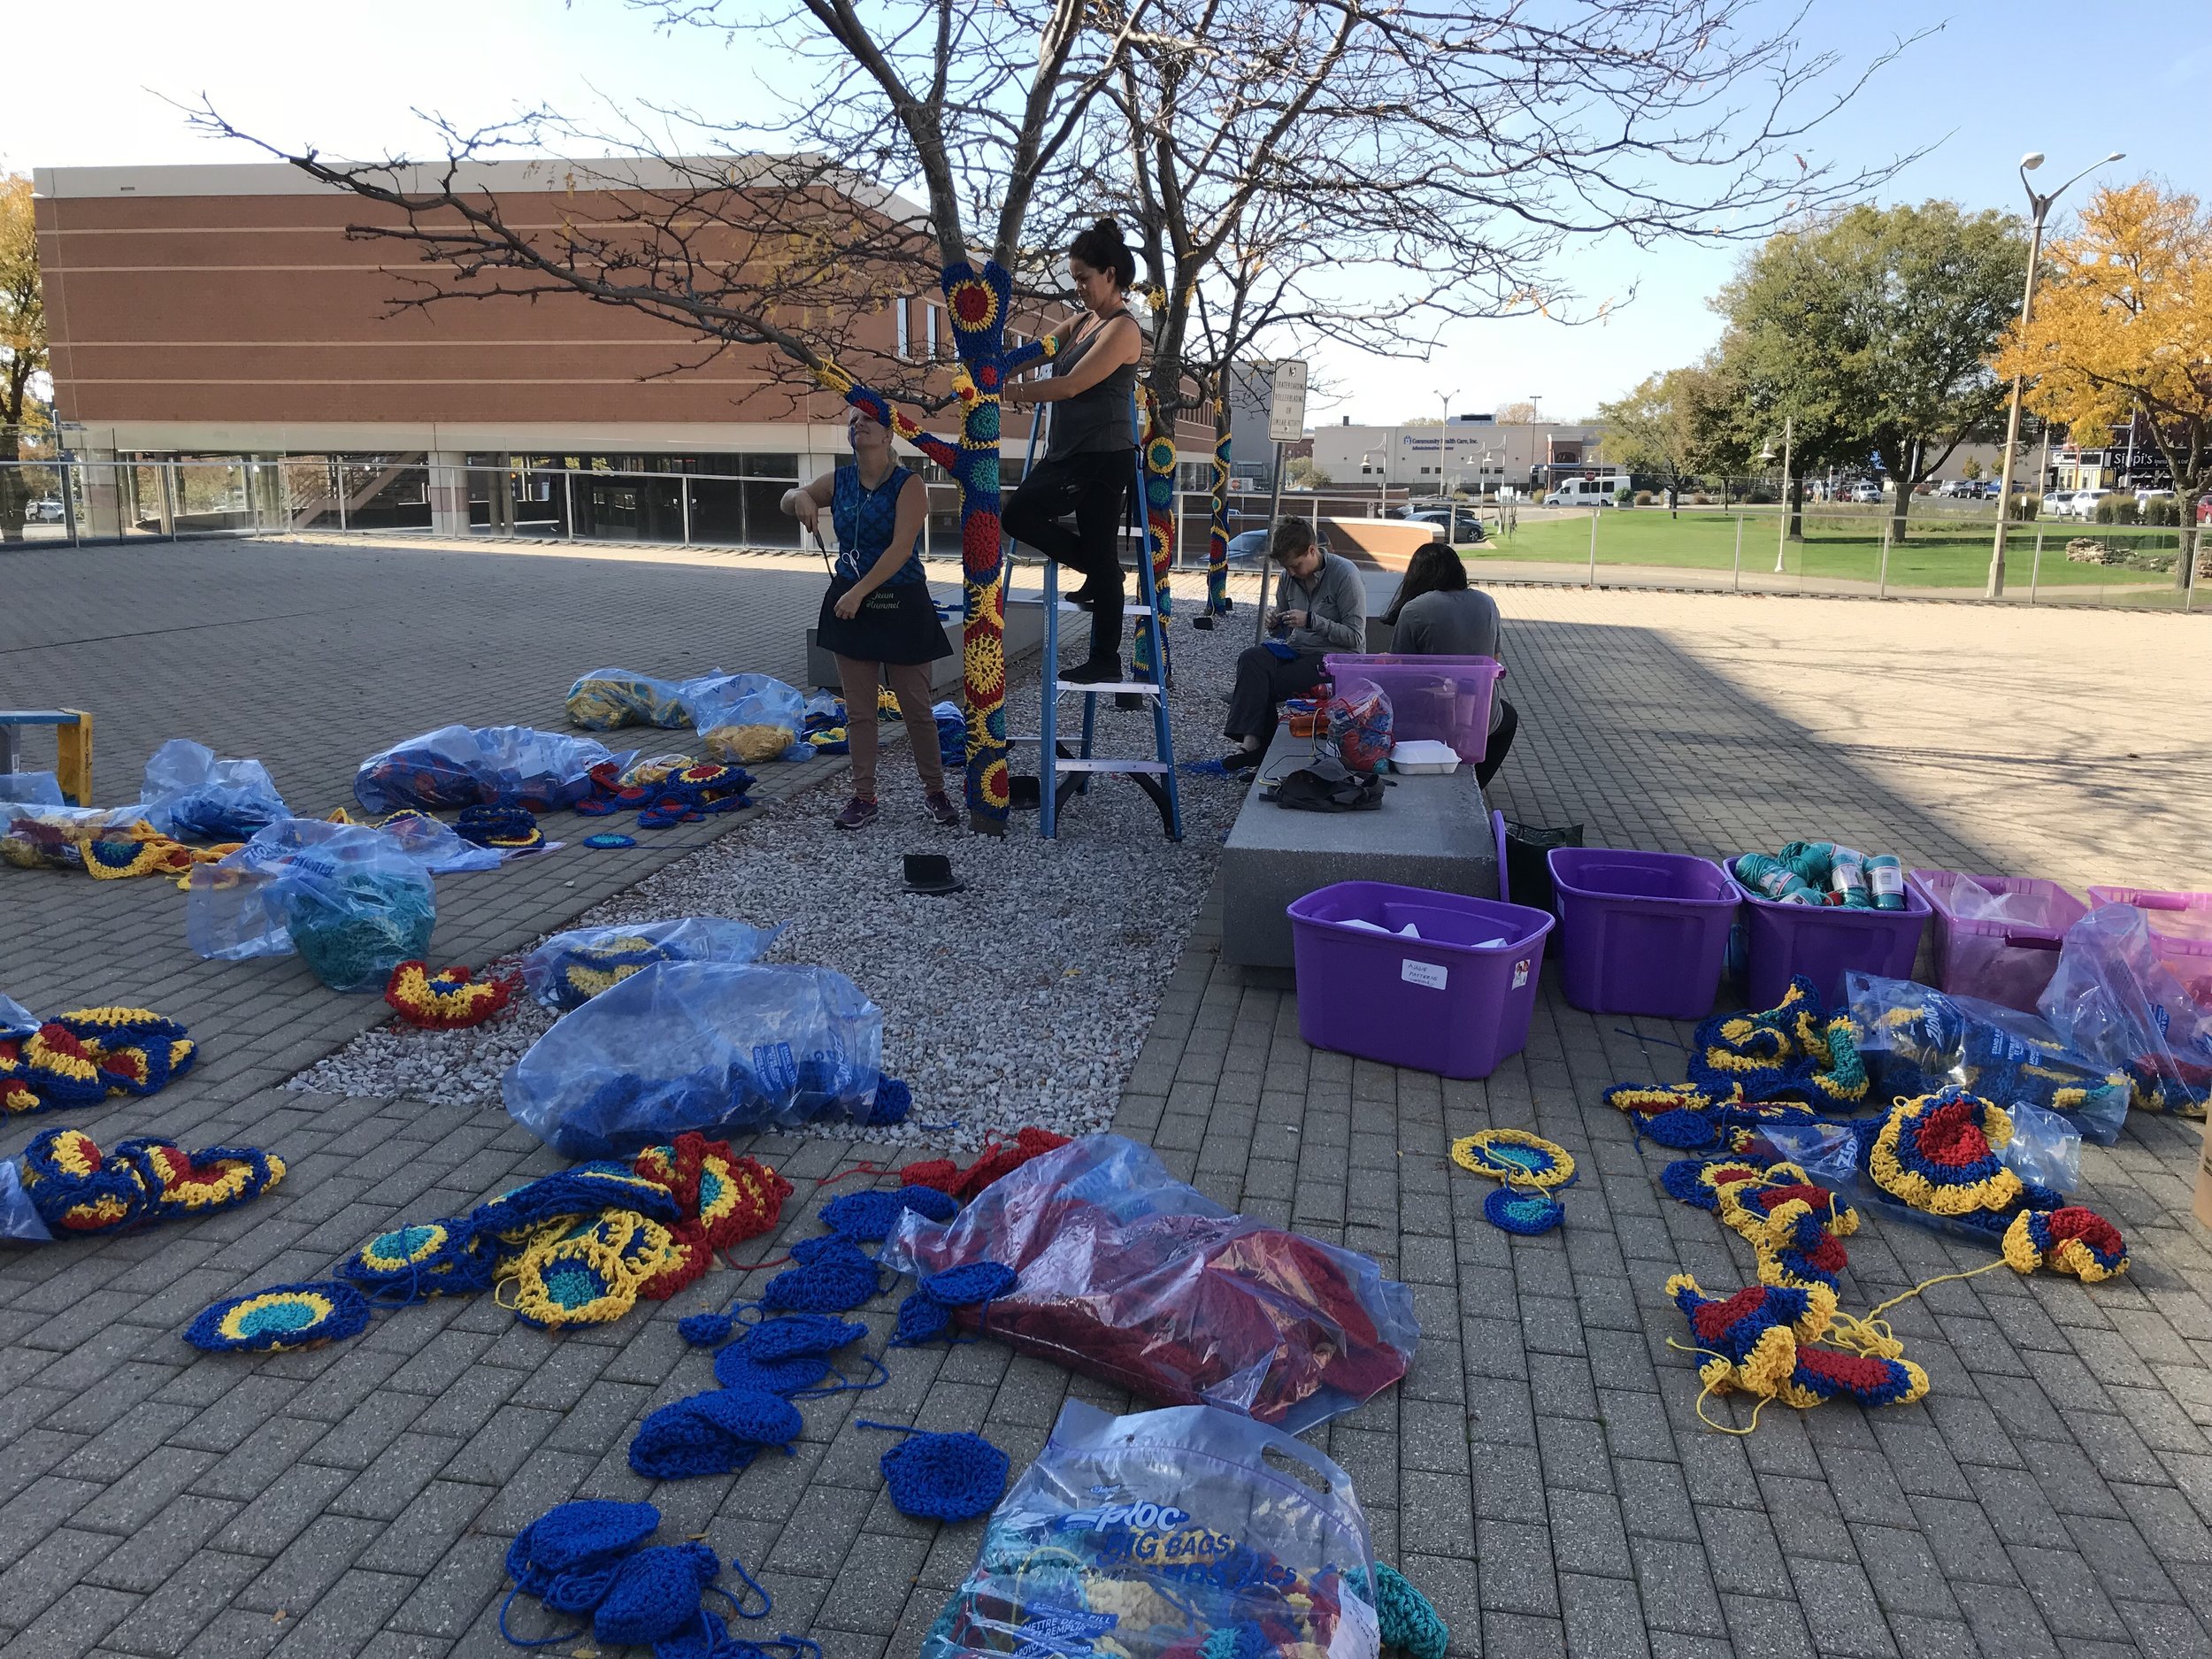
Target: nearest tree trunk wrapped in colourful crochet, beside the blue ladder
[[977, 302]]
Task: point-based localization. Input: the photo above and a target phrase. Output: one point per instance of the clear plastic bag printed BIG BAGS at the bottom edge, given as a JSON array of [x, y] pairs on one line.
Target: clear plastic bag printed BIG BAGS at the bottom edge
[[1162, 1534]]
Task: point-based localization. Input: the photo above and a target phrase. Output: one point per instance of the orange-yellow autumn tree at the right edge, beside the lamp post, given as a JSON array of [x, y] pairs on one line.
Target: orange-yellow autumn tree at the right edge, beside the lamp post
[[2122, 333]]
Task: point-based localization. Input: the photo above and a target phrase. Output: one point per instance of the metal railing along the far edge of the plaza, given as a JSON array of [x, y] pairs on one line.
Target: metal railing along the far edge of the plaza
[[1839, 550]]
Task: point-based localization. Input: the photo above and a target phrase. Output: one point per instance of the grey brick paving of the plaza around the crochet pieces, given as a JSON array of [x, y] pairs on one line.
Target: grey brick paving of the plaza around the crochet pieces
[[1541, 1474]]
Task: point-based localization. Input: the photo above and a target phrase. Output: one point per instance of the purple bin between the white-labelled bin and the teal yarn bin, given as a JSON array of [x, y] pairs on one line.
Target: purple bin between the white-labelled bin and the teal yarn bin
[[1642, 932]]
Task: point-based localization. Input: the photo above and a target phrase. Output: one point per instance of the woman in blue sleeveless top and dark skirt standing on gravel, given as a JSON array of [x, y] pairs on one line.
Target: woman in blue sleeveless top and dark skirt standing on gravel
[[877, 616]]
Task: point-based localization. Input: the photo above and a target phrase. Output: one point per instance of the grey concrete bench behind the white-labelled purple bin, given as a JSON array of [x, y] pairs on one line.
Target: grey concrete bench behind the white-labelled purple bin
[[1430, 833]]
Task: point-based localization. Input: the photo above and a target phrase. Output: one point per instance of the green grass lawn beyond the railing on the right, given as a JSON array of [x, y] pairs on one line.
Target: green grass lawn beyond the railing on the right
[[1937, 554]]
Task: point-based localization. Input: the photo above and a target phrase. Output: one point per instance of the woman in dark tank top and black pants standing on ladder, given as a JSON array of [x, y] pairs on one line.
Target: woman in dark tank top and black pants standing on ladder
[[1092, 459]]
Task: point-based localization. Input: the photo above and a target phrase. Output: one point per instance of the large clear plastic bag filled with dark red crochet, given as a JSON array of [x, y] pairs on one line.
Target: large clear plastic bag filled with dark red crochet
[[1145, 1282]]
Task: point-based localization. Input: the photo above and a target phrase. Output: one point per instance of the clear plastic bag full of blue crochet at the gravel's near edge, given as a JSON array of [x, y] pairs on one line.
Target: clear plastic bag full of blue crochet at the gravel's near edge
[[700, 1045]]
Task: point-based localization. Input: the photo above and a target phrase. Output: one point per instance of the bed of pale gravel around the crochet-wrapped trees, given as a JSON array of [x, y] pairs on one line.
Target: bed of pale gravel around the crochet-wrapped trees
[[1019, 1001]]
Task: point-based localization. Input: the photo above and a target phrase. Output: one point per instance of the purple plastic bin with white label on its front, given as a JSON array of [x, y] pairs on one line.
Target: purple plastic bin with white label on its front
[[1454, 1001]]
